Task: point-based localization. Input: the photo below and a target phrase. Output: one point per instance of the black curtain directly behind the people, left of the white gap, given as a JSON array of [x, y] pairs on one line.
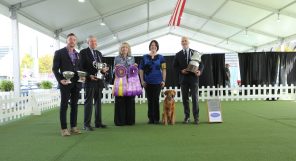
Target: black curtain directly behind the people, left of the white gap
[[213, 74]]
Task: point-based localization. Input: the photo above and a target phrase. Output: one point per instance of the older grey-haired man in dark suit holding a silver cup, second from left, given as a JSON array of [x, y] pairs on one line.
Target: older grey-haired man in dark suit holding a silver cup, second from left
[[93, 85]]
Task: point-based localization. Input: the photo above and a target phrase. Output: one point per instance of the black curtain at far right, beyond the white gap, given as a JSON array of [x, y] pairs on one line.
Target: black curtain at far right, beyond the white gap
[[259, 68]]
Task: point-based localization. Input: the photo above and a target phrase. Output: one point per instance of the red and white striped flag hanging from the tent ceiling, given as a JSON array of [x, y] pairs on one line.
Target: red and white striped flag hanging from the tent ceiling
[[177, 14]]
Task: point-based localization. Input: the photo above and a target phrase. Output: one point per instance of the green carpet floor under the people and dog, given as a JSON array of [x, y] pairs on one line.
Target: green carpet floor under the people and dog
[[251, 131]]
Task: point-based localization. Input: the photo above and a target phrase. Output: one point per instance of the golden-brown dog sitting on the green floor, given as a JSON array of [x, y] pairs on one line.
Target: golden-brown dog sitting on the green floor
[[168, 115]]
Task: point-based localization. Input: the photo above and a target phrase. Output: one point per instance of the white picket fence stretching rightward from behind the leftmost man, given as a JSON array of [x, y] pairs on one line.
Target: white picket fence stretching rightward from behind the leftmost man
[[223, 93]]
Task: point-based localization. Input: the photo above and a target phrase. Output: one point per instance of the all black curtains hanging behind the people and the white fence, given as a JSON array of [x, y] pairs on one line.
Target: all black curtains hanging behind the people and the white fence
[[255, 68]]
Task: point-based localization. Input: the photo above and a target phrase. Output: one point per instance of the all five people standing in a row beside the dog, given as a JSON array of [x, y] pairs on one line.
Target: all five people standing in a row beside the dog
[[152, 72]]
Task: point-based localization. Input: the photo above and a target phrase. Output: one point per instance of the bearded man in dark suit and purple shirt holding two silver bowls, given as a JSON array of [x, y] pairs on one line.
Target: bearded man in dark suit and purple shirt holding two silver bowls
[[67, 59]]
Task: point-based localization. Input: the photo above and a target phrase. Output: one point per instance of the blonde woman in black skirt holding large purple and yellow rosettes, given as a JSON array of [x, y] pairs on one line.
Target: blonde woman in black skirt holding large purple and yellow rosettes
[[124, 113]]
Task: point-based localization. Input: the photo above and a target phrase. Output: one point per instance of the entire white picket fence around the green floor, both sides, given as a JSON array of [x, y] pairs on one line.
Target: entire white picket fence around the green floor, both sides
[[35, 102]]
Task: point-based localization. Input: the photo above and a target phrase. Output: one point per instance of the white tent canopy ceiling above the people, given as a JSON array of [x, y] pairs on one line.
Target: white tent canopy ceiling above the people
[[230, 25]]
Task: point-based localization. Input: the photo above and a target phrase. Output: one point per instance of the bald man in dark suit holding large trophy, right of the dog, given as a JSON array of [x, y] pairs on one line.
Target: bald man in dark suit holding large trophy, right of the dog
[[188, 80]]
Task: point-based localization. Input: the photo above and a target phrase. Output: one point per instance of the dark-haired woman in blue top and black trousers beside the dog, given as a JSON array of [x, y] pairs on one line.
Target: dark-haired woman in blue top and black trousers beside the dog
[[153, 74]]
